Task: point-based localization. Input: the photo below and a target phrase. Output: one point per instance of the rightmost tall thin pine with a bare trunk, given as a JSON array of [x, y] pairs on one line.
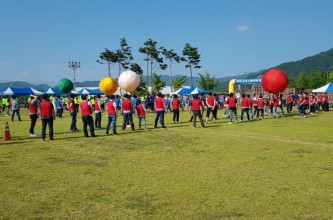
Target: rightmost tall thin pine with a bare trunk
[[192, 58]]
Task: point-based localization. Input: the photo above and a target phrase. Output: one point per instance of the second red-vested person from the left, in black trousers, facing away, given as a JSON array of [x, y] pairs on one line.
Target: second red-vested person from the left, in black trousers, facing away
[[47, 116]]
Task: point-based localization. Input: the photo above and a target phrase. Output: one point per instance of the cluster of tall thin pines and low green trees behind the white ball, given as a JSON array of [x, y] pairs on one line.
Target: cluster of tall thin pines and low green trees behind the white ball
[[157, 58]]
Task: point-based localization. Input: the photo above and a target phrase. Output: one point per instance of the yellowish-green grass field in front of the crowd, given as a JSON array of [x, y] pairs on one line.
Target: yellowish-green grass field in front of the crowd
[[271, 169]]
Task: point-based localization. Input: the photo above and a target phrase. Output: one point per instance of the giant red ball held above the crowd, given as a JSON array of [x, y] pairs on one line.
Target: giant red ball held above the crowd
[[274, 81]]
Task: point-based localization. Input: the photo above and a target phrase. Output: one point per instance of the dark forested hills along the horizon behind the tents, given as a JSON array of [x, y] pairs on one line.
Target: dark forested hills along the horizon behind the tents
[[322, 62]]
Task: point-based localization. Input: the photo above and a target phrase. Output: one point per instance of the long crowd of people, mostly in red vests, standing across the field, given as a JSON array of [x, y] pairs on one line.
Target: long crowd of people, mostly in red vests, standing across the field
[[201, 106]]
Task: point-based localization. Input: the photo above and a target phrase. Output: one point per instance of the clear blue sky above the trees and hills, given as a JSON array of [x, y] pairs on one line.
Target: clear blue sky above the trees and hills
[[39, 37]]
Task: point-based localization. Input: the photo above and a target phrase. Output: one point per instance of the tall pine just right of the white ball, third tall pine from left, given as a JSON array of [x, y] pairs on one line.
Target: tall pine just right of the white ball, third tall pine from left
[[152, 58]]
